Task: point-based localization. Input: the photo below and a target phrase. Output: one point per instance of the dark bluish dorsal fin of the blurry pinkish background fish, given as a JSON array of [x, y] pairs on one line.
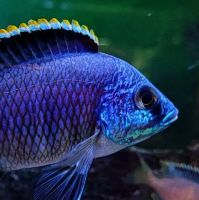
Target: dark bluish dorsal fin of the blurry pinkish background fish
[[180, 170]]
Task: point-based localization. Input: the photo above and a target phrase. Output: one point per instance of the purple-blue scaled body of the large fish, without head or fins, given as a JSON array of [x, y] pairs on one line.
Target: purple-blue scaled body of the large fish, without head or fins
[[48, 107]]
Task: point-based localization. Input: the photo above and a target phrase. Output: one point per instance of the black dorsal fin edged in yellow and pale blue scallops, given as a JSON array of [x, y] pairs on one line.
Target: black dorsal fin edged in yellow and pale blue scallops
[[43, 38]]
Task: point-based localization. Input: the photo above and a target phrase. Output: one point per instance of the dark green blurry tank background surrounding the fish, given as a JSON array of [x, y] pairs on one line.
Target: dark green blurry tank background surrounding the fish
[[160, 38]]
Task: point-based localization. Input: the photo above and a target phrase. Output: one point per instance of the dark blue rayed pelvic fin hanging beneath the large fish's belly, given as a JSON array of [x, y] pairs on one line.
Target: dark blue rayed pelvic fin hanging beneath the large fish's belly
[[61, 184]]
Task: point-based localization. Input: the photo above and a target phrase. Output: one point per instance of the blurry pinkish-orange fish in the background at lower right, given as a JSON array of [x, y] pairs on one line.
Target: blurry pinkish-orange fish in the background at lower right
[[173, 182]]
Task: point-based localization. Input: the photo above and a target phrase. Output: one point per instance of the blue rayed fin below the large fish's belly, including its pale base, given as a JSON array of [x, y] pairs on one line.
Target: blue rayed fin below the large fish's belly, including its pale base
[[63, 182]]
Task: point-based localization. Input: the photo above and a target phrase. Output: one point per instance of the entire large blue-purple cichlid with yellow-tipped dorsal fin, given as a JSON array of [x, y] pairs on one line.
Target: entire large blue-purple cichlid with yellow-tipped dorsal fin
[[63, 103]]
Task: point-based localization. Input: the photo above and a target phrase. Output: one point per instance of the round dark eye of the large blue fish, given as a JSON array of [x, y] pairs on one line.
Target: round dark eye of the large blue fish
[[146, 98]]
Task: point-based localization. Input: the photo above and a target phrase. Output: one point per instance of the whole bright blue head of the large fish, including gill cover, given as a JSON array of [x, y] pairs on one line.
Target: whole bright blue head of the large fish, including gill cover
[[135, 109]]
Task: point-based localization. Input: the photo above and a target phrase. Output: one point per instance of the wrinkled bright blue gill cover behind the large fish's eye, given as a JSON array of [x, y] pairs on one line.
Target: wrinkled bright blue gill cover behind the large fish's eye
[[114, 116]]
